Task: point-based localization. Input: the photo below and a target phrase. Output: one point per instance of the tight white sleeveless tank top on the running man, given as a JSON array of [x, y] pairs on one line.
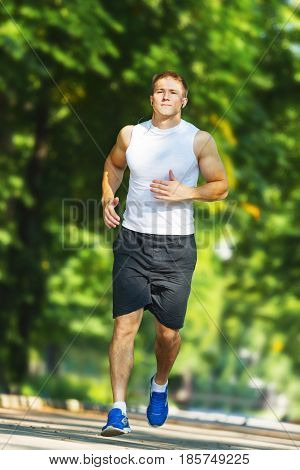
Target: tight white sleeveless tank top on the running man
[[152, 152]]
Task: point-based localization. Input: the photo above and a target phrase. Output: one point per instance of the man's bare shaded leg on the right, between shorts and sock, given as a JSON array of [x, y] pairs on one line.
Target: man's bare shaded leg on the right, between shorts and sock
[[167, 346]]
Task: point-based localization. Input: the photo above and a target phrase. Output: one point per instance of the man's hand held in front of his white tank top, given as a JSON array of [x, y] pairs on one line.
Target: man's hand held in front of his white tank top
[[171, 190]]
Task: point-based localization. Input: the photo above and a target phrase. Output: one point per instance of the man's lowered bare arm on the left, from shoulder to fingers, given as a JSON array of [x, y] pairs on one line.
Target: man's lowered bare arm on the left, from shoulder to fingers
[[114, 168]]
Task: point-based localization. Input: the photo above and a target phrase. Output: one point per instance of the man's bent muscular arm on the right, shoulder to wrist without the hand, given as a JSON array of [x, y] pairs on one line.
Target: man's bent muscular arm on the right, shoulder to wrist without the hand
[[212, 169]]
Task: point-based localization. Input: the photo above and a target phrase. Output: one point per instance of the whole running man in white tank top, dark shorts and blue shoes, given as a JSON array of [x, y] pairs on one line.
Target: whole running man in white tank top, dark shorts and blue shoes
[[155, 252]]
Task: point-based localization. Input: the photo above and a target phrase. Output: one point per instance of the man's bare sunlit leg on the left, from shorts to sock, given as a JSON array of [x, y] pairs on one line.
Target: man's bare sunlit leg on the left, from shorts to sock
[[121, 351]]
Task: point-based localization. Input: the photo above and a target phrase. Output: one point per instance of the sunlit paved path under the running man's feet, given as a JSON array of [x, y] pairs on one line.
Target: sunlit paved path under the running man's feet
[[54, 429]]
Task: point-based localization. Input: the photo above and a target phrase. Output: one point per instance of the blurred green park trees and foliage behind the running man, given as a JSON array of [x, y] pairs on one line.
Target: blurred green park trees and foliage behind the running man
[[72, 74]]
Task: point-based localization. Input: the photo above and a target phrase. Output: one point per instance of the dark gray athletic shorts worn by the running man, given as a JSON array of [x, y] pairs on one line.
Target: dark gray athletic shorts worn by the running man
[[154, 272]]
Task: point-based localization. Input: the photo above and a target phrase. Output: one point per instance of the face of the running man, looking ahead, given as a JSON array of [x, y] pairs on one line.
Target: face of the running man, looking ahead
[[168, 96]]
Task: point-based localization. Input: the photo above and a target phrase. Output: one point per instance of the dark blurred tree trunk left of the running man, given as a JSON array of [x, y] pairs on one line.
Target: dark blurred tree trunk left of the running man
[[26, 259]]
